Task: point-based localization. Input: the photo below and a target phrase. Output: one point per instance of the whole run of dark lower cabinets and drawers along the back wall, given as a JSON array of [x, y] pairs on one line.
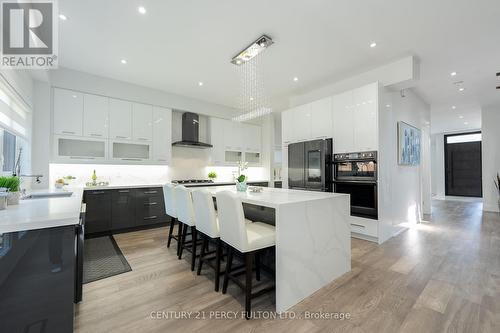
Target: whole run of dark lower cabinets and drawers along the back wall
[[121, 209]]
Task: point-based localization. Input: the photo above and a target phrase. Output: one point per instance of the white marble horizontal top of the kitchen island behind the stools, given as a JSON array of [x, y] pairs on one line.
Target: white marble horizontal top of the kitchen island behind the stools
[[274, 197]]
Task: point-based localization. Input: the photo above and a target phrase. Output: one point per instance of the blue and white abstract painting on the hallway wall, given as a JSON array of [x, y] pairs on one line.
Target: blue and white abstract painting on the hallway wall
[[408, 144]]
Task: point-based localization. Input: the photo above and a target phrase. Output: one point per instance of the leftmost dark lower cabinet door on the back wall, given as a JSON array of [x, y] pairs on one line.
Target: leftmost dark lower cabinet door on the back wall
[[98, 211]]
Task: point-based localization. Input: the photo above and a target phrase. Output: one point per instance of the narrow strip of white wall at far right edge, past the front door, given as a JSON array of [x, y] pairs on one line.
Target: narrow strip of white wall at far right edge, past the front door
[[491, 155]]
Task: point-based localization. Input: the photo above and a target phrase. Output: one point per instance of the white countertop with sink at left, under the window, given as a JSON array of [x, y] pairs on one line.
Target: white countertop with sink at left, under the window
[[42, 213]]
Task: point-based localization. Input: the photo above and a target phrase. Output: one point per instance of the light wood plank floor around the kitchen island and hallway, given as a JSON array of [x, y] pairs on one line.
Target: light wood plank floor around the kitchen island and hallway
[[443, 276]]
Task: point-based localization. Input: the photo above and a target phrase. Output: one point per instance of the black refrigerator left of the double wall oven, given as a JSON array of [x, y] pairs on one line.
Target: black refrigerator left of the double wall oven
[[310, 165]]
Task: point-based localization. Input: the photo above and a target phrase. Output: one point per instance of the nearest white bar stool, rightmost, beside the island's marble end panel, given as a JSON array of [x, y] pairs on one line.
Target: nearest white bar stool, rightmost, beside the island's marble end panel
[[247, 238]]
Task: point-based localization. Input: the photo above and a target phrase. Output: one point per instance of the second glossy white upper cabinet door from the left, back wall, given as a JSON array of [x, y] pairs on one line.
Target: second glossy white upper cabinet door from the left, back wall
[[95, 116]]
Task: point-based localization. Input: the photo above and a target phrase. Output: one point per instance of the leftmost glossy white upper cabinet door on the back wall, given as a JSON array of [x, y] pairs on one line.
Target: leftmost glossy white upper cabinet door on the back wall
[[68, 112]]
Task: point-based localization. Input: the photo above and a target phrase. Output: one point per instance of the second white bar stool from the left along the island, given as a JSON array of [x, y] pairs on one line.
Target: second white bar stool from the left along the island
[[185, 215]]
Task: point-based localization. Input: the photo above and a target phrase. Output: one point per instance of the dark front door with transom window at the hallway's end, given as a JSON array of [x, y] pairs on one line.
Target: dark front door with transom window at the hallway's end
[[463, 166]]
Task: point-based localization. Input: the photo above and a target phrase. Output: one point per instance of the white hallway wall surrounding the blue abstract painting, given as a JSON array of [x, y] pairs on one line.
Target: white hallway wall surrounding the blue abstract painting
[[402, 192]]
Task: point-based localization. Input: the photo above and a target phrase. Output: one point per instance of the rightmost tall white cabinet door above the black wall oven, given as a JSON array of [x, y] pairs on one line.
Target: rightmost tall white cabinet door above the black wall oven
[[366, 118]]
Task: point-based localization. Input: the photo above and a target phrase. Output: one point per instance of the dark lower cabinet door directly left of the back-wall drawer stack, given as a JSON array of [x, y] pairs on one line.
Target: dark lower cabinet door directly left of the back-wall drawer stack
[[122, 209]]
